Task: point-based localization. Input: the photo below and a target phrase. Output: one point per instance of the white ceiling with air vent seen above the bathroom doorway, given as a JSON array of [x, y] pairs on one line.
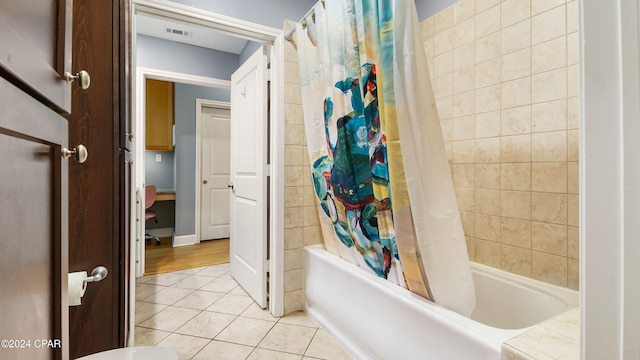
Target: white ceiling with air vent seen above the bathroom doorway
[[197, 35]]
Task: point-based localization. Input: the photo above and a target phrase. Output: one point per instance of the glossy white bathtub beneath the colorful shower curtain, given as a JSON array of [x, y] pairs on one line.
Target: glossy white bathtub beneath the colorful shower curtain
[[375, 319]]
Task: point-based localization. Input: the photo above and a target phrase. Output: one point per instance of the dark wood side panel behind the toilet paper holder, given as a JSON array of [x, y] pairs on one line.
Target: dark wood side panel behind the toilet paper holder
[[97, 203]]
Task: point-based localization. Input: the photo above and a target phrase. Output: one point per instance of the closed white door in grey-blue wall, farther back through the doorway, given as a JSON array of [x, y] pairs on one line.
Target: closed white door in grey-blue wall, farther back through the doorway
[[215, 155]]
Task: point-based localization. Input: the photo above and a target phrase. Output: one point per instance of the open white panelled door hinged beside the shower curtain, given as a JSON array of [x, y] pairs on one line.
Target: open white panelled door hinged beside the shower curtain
[[248, 179]]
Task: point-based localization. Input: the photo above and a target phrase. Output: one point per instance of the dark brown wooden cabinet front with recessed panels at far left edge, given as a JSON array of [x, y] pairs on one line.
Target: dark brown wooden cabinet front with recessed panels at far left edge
[[34, 55]]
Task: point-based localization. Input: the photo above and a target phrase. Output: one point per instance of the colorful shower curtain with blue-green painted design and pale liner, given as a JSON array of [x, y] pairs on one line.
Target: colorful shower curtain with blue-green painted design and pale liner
[[378, 161]]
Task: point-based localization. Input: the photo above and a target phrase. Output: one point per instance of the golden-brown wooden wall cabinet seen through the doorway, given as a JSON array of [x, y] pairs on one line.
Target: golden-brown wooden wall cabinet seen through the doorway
[[159, 115]]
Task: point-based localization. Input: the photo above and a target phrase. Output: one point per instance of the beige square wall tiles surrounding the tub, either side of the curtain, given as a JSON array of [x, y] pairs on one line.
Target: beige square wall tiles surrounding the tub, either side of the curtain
[[505, 79]]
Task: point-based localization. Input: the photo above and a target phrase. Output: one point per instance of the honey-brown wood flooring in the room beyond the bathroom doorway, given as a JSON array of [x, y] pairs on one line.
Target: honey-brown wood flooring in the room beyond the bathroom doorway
[[166, 258]]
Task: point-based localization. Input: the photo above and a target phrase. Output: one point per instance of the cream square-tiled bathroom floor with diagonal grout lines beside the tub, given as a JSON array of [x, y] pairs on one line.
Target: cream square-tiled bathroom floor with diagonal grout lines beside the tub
[[204, 314]]
